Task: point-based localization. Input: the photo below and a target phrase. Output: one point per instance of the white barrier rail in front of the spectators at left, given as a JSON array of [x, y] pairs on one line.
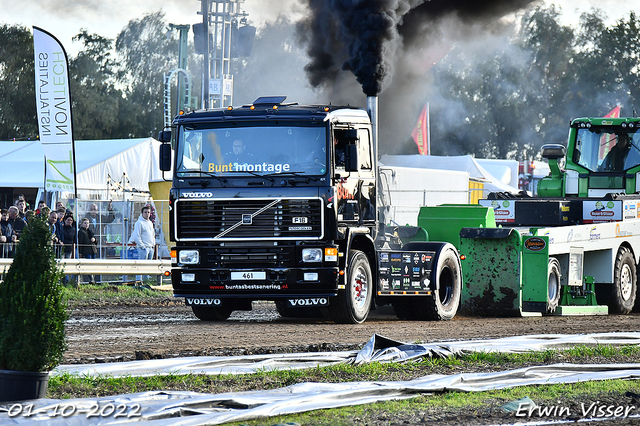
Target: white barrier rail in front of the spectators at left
[[106, 266]]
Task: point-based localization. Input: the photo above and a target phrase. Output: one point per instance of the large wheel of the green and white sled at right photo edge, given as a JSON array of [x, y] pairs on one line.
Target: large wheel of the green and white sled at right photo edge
[[623, 291]]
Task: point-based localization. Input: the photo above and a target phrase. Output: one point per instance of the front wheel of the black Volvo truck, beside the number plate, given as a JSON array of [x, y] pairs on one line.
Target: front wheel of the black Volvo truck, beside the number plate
[[352, 304]]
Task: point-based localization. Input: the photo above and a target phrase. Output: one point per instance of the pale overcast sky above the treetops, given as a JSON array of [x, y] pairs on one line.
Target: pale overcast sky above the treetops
[[64, 19]]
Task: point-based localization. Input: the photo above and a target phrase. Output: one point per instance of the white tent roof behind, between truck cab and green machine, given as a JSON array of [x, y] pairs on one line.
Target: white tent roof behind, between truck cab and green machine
[[463, 163]]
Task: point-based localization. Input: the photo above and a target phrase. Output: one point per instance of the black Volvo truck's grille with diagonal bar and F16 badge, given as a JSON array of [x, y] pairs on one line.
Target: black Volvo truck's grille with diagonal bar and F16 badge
[[248, 219]]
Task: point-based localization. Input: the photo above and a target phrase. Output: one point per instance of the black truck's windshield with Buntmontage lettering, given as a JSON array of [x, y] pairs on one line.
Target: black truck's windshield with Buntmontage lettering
[[251, 149]]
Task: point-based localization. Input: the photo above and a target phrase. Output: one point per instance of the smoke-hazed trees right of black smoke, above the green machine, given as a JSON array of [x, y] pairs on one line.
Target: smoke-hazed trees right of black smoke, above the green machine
[[507, 96]]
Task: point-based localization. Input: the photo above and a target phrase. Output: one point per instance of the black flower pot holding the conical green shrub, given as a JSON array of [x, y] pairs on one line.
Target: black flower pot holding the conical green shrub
[[22, 385]]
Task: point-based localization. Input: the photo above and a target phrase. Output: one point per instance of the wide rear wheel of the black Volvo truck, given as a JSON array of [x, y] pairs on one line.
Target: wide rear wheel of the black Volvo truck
[[444, 303]]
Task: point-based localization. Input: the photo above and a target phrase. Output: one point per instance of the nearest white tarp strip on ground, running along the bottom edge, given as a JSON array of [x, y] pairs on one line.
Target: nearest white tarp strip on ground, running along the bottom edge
[[191, 408]]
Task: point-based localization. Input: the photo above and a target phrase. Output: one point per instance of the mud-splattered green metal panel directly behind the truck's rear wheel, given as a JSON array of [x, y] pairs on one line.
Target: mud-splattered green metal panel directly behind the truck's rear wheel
[[505, 274]]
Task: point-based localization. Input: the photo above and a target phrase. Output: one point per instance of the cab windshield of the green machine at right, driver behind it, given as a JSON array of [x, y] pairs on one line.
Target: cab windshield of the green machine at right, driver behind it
[[607, 149]]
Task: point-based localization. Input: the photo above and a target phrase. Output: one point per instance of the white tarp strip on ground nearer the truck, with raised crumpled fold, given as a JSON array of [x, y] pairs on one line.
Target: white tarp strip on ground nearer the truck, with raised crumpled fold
[[377, 349]]
